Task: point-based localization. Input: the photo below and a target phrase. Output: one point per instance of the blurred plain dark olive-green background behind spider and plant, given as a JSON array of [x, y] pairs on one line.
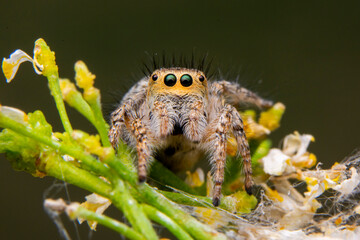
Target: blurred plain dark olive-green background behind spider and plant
[[305, 54]]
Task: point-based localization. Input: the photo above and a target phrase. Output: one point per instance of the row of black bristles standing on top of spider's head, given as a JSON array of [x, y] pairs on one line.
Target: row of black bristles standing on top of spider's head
[[194, 61]]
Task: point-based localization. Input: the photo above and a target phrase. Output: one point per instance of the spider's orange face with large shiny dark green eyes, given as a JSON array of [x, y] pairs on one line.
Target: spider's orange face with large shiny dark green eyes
[[177, 81]]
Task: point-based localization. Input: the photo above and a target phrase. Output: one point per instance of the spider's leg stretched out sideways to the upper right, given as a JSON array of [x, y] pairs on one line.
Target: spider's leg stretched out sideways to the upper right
[[237, 95]]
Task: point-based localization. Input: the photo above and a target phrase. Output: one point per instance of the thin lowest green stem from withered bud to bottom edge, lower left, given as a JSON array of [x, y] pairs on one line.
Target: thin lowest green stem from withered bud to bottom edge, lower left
[[108, 222]]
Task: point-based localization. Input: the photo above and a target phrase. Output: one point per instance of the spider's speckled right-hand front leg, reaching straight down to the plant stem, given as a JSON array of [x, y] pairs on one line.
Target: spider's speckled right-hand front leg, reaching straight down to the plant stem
[[217, 139]]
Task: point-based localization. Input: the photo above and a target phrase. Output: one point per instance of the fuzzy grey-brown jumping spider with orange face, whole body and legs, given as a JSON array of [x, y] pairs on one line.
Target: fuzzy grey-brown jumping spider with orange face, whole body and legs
[[178, 115]]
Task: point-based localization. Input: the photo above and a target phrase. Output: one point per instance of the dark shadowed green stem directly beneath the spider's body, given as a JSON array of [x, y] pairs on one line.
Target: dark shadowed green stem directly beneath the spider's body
[[163, 175]]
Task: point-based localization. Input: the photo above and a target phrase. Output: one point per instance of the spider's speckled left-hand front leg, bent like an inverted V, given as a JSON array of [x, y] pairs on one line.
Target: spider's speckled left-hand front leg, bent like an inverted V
[[125, 121]]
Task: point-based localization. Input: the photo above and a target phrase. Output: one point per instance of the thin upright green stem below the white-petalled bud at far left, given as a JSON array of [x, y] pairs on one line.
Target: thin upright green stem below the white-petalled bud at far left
[[56, 92]]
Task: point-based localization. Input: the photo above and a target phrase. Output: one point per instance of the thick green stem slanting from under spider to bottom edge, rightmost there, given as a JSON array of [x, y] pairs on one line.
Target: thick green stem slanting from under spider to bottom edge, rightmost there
[[196, 229]]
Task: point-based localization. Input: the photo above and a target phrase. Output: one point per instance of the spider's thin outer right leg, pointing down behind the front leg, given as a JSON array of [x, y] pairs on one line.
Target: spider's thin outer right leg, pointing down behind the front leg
[[243, 147]]
